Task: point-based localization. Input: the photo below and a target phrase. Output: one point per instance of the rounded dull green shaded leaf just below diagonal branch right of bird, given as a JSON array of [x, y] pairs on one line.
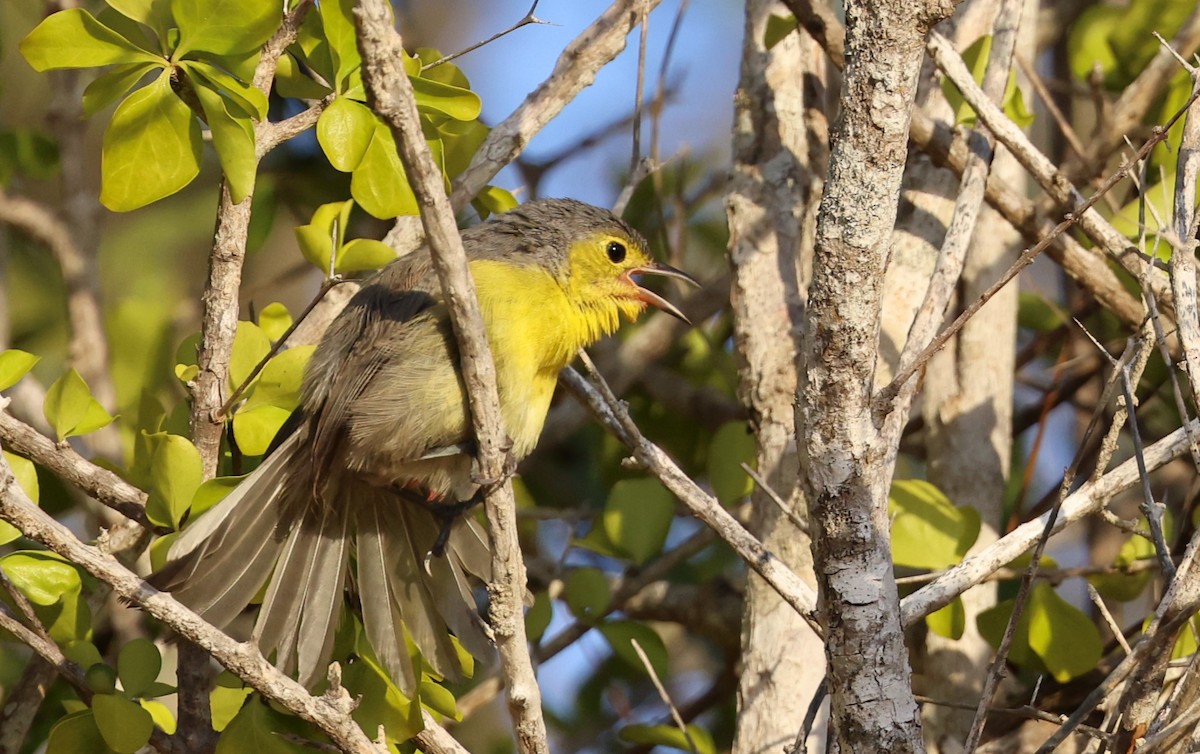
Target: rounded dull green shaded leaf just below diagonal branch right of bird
[[638, 517]]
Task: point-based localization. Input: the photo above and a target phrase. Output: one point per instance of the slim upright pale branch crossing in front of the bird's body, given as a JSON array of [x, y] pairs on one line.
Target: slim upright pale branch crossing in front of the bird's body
[[392, 95]]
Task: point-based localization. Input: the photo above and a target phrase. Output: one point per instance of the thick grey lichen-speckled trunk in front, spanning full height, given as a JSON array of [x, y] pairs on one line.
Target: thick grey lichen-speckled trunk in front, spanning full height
[[848, 466]]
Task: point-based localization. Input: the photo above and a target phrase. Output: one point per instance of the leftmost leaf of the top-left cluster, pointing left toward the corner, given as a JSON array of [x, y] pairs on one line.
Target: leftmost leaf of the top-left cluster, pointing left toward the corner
[[74, 39]]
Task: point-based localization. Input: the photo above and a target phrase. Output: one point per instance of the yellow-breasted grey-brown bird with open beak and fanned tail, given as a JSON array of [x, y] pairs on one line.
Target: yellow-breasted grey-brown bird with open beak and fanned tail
[[364, 488]]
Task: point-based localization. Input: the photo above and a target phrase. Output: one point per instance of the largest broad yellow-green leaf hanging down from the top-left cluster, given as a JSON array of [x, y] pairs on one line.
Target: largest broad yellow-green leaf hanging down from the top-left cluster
[[152, 149]]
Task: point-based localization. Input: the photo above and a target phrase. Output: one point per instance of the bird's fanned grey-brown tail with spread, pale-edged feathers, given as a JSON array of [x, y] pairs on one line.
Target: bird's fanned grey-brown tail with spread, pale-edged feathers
[[271, 528]]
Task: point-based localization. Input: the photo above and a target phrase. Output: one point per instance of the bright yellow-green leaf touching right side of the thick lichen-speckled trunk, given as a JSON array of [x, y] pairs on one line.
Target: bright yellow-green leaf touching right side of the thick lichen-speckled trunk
[[928, 531]]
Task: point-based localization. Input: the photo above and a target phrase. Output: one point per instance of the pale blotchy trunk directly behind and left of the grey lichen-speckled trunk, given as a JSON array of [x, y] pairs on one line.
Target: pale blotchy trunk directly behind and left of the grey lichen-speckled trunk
[[770, 207]]
